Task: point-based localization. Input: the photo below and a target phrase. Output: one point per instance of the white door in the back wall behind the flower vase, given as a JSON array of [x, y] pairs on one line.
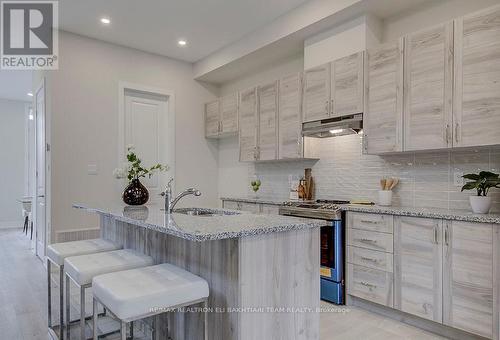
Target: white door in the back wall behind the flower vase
[[146, 127]]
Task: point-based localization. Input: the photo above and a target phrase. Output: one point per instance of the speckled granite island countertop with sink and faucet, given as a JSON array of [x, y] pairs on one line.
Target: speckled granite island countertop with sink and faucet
[[202, 228]]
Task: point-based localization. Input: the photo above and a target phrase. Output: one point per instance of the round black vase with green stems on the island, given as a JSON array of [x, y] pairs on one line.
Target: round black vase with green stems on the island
[[135, 193]]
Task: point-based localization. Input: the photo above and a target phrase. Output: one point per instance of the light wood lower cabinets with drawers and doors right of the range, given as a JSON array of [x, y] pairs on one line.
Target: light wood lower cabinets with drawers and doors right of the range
[[444, 271]]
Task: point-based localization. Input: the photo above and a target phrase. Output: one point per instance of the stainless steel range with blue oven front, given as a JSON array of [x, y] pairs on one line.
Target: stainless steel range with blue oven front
[[332, 242]]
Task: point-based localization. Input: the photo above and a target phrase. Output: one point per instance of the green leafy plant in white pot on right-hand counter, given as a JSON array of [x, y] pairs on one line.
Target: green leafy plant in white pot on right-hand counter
[[482, 182]]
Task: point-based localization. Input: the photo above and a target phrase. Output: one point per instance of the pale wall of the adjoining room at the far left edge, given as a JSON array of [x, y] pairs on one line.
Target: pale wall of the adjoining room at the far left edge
[[12, 141]]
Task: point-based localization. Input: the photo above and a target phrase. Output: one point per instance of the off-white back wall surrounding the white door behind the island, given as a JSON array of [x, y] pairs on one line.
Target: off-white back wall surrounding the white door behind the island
[[83, 106]]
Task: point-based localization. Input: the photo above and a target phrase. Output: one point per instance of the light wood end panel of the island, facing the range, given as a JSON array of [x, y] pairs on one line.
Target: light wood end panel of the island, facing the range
[[280, 270]]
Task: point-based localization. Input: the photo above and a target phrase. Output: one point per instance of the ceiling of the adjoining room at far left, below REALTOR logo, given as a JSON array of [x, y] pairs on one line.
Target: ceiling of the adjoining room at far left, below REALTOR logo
[[15, 85]]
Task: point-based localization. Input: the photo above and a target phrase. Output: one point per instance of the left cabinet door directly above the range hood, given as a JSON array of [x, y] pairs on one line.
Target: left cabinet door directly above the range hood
[[316, 93]]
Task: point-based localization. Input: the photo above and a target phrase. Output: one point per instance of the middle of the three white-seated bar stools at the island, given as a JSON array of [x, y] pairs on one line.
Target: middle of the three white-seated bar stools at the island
[[82, 269]]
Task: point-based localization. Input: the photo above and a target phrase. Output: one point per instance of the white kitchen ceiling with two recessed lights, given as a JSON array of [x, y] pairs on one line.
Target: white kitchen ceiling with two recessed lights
[[156, 25]]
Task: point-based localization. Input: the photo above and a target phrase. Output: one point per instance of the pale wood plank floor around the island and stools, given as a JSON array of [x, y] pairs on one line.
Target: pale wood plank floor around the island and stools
[[23, 306]]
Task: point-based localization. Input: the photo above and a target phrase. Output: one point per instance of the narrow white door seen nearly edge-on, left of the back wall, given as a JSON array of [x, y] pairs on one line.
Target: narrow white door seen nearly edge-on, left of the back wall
[[40, 177]]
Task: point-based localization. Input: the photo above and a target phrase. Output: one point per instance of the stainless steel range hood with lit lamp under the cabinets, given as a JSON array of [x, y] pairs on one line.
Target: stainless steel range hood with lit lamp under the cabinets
[[333, 127]]
